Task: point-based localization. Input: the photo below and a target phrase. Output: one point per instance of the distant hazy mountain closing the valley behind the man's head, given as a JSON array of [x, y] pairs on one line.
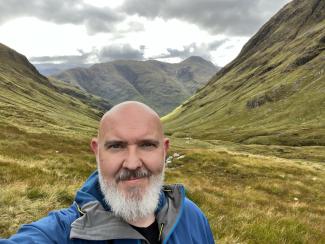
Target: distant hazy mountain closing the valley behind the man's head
[[161, 85]]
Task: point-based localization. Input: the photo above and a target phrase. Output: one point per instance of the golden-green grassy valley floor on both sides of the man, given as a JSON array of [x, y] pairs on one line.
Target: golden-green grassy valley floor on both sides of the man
[[248, 198]]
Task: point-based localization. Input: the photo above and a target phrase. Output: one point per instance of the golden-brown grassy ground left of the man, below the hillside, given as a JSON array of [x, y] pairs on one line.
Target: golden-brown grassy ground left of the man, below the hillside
[[42, 176]]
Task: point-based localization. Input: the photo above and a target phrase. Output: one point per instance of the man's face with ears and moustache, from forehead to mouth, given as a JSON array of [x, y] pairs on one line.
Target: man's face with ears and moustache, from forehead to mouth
[[130, 150]]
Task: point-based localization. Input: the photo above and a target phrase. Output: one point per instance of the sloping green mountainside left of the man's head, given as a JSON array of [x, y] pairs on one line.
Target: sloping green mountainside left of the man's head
[[32, 105]]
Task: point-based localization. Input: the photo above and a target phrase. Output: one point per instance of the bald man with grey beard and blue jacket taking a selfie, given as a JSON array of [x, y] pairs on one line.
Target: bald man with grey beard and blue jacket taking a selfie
[[125, 202]]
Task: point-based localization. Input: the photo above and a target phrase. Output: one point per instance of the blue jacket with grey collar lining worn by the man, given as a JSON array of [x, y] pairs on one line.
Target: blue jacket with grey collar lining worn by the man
[[89, 220]]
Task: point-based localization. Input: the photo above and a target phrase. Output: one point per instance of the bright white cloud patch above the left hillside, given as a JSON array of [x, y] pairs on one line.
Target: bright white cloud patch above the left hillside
[[33, 37]]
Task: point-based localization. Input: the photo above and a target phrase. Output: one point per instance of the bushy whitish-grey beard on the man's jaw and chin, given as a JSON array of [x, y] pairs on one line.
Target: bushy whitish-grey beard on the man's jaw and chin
[[137, 203]]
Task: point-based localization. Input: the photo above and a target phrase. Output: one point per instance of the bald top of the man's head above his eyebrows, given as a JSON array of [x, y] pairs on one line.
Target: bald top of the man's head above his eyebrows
[[130, 114]]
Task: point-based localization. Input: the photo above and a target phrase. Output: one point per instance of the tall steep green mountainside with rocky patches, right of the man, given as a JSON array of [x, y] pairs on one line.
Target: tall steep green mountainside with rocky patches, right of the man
[[272, 93]]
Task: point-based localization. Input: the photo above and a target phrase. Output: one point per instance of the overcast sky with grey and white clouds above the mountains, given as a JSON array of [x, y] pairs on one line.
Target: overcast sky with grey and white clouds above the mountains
[[87, 31]]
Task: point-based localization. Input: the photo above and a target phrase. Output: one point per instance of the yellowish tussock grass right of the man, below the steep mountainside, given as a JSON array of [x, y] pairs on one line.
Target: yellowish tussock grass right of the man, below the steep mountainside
[[254, 199]]
